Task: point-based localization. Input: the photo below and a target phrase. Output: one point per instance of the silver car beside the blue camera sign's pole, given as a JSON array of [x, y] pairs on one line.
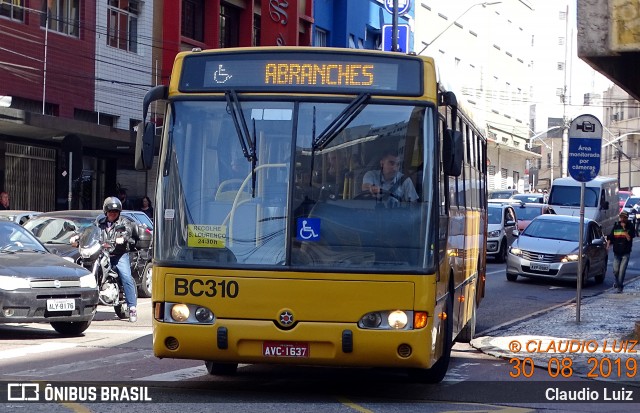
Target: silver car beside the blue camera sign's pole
[[549, 248]]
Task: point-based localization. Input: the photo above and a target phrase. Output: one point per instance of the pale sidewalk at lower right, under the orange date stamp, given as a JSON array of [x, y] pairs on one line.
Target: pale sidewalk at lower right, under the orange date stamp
[[604, 334]]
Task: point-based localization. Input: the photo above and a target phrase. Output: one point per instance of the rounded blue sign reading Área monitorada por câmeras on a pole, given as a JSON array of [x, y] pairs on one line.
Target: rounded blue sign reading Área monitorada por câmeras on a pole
[[585, 143]]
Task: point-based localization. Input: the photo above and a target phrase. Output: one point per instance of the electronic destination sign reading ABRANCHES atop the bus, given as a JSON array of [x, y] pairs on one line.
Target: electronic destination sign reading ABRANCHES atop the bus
[[302, 72]]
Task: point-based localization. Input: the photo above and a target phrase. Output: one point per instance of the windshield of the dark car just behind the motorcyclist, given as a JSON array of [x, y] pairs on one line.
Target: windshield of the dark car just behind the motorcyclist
[[57, 230]]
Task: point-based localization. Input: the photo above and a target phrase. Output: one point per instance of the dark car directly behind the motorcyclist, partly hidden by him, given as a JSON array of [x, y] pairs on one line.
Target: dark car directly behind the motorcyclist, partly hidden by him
[[55, 229]]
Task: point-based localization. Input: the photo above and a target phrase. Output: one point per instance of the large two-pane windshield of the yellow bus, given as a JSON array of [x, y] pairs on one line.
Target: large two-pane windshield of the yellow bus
[[306, 184]]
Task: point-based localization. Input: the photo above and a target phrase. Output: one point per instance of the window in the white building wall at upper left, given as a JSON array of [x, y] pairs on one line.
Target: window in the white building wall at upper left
[[122, 24]]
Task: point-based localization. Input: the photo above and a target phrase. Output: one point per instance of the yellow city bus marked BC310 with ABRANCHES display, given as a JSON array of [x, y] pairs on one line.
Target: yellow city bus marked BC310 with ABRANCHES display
[[314, 206]]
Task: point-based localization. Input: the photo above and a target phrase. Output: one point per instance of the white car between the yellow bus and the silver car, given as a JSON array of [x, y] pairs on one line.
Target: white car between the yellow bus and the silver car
[[501, 223]]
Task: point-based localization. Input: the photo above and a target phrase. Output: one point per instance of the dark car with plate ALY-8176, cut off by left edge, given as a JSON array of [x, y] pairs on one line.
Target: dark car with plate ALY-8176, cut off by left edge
[[37, 286]]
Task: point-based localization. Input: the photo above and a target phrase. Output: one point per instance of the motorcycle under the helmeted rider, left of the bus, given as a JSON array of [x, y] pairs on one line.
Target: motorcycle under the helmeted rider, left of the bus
[[95, 246]]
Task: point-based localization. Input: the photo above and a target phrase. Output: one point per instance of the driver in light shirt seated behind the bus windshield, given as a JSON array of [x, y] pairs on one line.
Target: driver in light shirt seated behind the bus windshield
[[389, 182]]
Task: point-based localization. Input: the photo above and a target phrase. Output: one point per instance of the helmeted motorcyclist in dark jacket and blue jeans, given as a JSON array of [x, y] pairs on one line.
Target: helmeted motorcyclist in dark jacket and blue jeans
[[120, 254]]
